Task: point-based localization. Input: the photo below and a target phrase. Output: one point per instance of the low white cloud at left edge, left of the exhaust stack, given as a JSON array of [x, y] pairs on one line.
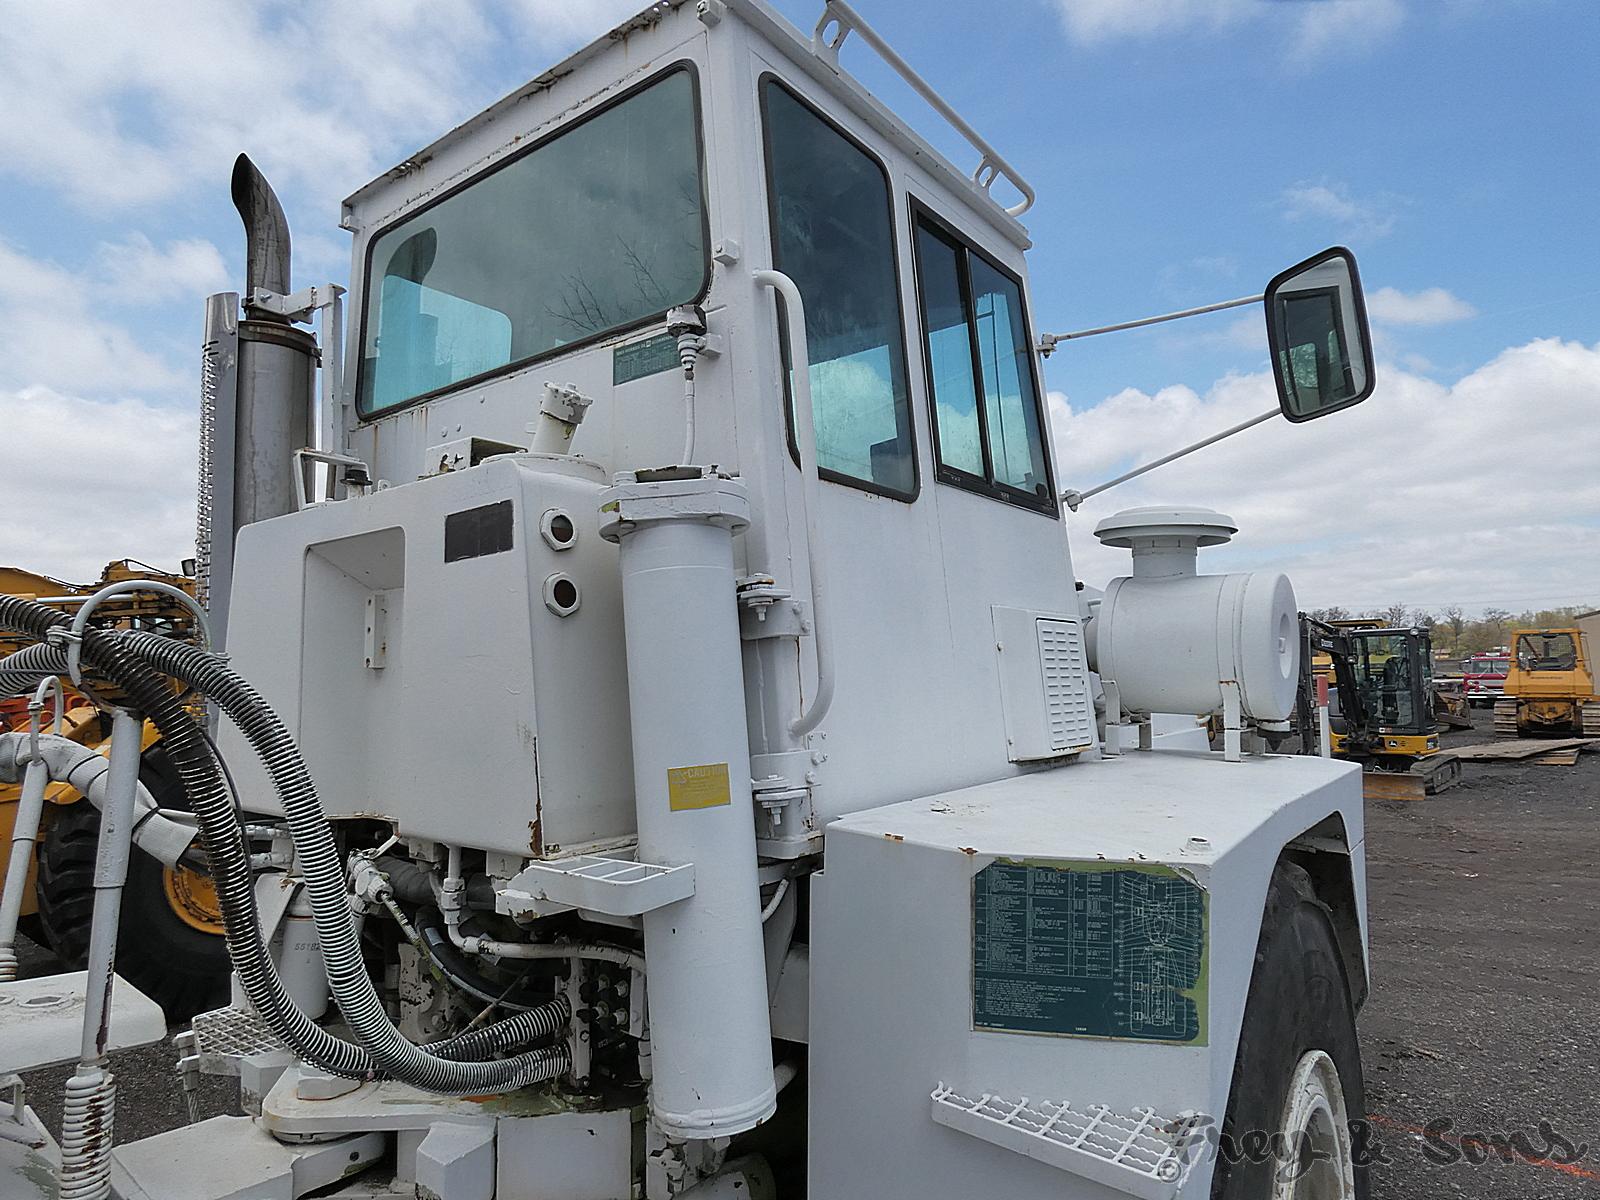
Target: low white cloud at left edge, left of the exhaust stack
[[89, 482]]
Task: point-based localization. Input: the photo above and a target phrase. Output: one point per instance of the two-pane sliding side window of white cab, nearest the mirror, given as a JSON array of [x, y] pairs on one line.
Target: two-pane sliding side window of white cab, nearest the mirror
[[980, 364]]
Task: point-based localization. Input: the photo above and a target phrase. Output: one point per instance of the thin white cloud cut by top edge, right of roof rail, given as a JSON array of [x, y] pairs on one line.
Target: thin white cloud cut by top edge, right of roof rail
[[1314, 28]]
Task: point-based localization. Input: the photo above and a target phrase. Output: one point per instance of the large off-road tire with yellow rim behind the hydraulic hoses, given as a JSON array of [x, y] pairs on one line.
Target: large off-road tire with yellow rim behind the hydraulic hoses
[[167, 946]]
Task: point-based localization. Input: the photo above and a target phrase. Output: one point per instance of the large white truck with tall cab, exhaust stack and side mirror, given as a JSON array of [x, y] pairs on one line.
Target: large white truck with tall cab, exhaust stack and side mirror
[[663, 748]]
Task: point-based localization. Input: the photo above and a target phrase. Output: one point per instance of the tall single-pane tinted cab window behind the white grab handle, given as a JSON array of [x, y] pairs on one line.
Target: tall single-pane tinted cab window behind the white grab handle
[[833, 234]]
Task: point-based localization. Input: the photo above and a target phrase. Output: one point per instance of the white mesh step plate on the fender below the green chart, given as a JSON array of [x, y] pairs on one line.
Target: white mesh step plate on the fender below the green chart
[[1140, 1154]]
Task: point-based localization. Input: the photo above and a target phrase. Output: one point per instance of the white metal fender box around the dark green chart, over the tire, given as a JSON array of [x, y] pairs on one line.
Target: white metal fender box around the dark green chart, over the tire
[[892, 959]]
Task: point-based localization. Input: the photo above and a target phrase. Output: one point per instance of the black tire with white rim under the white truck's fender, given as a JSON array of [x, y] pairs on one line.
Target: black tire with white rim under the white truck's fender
[[1298, 1074]]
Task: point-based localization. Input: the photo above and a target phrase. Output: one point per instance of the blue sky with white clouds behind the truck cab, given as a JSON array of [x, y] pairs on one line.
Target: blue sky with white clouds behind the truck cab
[[1183, 151]]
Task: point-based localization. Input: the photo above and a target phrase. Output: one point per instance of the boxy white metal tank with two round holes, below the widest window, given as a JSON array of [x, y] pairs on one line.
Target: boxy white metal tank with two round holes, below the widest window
[[494, 722]]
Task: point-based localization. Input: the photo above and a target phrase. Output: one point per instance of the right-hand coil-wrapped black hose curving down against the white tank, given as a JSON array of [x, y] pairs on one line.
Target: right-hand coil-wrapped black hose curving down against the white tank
[[322, 868]]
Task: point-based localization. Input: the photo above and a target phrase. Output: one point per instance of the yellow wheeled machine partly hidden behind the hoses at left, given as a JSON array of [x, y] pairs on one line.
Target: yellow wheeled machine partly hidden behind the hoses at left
[[172, 945]]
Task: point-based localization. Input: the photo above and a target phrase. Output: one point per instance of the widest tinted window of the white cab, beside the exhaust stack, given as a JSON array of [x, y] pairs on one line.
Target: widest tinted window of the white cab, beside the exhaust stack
[[596, 230]]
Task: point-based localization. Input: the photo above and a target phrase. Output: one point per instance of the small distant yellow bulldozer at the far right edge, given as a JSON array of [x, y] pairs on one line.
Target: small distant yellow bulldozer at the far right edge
[[1551, 686]]
